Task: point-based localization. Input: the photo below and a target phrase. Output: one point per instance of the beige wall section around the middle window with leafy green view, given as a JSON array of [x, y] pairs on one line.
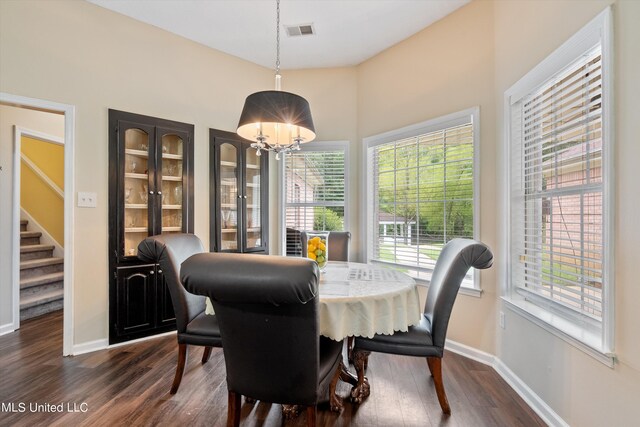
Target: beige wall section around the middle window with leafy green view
[[448, 67]]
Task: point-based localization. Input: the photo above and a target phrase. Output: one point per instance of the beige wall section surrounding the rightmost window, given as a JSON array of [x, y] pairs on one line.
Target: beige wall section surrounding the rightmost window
[[578, 388]]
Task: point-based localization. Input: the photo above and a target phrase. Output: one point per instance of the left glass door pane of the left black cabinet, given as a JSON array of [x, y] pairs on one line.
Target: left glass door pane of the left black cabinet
[[136, 189]]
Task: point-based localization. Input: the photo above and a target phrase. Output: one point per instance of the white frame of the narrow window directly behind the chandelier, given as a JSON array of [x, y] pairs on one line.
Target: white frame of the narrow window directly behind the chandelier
[[314, 146]]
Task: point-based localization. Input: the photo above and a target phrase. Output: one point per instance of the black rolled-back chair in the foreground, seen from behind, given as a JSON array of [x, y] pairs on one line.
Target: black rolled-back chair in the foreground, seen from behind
[[267, 308]]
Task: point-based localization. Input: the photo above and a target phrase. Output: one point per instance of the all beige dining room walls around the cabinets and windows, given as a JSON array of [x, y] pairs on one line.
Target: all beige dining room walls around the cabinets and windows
[[467, 59]]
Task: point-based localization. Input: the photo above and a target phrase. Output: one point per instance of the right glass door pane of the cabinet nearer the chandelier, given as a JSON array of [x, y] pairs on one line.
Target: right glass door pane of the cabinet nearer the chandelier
[[252, 200]]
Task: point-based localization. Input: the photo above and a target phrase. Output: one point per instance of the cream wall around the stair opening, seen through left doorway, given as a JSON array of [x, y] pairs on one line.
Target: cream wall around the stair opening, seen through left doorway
[[48, 123]]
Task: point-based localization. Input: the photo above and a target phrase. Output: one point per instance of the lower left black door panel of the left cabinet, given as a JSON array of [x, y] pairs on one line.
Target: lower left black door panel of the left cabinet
[[135, 288]]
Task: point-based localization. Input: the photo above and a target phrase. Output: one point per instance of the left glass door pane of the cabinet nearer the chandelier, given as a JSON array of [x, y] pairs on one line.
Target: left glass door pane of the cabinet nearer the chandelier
[[228, 197]]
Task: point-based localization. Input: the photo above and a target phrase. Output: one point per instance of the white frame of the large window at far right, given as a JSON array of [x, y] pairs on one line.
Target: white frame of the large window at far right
[[555, 318]]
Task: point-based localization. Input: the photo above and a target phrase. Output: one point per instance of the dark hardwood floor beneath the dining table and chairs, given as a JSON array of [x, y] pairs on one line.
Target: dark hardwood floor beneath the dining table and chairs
[[129, 385]]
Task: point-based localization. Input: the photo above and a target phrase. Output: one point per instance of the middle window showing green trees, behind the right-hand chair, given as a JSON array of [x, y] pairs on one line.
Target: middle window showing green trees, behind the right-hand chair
[[422, 192]]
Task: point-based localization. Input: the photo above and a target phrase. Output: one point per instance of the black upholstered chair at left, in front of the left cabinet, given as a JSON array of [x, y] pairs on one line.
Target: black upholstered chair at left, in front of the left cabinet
[[193, 325]]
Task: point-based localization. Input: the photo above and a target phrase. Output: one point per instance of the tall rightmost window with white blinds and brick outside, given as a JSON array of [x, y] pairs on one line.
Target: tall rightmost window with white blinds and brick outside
[[559, 197]]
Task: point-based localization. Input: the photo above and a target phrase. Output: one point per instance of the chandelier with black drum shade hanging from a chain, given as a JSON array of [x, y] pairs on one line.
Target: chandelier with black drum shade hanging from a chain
[[277, 121]]
